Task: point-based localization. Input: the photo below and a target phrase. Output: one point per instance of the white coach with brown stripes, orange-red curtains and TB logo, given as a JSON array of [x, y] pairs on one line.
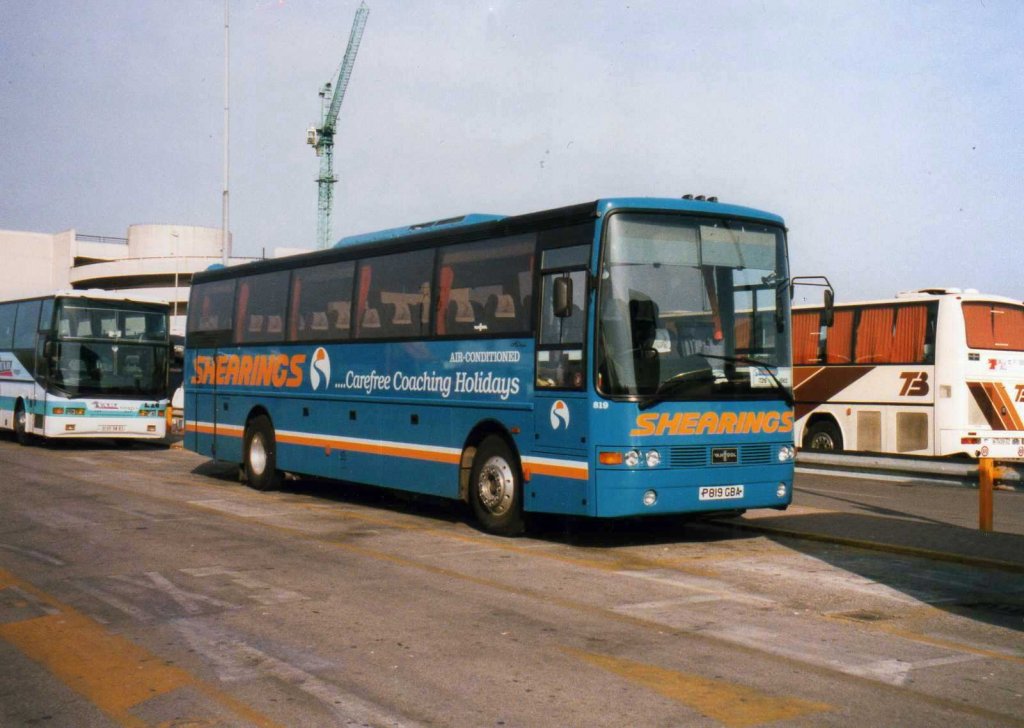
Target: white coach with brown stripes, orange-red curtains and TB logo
[[935, 372]]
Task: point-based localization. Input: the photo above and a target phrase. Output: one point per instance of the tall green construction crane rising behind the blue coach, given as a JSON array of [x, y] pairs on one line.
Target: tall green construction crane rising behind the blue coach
[[322, 138]]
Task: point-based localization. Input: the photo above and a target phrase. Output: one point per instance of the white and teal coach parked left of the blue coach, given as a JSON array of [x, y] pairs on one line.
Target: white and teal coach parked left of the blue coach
[[83, 364]]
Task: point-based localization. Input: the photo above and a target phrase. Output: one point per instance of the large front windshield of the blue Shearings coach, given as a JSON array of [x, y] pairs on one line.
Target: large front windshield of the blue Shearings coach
[[694, 309]]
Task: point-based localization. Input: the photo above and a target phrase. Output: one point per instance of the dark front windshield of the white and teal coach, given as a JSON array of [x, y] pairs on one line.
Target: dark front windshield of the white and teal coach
[[108, 351]]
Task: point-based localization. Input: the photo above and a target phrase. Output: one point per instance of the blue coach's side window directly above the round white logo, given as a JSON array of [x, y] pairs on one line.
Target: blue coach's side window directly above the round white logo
[[322, 303]]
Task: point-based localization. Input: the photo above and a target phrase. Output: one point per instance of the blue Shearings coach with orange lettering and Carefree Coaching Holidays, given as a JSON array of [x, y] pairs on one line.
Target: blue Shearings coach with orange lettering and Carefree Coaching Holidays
[[621, 358]]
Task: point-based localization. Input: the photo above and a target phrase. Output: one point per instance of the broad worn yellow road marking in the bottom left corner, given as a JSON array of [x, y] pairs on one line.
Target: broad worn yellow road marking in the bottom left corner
[[113, 673]]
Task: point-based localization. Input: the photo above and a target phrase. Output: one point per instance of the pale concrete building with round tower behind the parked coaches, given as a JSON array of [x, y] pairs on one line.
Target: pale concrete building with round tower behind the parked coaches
[[154, 262]]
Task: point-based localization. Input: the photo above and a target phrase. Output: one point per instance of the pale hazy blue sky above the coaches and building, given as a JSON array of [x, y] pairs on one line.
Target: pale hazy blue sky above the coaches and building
[[889, 135]]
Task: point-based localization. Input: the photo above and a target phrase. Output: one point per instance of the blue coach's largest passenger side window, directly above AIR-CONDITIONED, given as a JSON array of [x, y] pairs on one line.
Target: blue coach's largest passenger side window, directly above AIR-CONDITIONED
[[486, 287]]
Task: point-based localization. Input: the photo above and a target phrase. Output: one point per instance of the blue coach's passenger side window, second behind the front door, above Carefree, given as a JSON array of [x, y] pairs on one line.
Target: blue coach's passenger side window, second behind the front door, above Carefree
[[394, 295]]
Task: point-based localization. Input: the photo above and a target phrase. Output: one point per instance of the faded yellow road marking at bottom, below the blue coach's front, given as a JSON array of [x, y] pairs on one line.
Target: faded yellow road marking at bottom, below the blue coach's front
[[728, 703]]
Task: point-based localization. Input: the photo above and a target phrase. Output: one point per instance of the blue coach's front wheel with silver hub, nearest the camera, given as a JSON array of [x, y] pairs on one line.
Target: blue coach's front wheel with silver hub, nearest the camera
[[496, 488]]
